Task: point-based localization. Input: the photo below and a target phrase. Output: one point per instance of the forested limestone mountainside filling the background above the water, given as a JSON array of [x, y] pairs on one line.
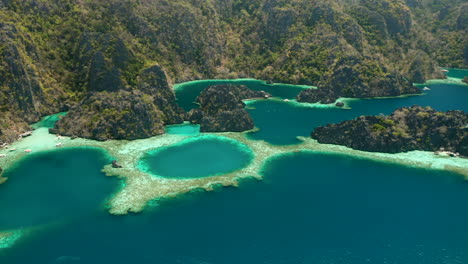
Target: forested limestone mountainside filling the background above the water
[[53, 53]]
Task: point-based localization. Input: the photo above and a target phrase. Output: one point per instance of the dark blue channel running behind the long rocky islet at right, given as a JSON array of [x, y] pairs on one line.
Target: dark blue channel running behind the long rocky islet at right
[[280, 123]]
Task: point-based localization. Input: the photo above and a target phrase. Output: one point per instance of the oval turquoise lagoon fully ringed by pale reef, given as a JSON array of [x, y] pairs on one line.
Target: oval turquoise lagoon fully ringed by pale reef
[[197, 157]]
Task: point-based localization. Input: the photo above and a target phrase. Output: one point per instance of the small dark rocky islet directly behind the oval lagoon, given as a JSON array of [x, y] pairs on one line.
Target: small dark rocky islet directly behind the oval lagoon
[[222, 110]]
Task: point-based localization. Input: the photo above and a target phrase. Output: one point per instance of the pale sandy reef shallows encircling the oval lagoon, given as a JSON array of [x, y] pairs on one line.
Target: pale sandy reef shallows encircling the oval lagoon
[[139, 187]]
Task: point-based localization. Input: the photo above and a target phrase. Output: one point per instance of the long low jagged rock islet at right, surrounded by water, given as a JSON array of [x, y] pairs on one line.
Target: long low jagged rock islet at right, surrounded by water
[[406, 129]]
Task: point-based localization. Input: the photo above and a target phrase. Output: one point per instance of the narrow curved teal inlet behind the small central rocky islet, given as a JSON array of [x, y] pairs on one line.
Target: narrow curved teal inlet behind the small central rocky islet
[[187, 93]]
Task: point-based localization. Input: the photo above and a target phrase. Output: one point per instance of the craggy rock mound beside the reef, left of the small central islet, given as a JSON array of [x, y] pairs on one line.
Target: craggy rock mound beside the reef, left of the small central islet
[[135, 113]]
